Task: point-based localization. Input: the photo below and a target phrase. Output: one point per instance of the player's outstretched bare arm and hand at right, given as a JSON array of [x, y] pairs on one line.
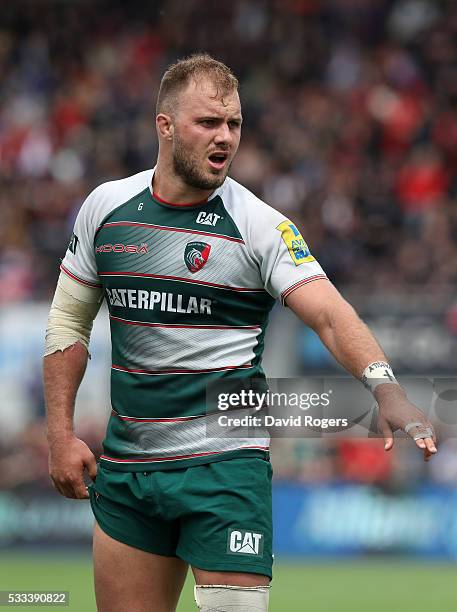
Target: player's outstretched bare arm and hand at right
[[322, 308]]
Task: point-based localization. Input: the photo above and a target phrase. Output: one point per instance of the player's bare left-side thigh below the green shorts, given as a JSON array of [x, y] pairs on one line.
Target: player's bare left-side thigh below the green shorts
[[127, 578]]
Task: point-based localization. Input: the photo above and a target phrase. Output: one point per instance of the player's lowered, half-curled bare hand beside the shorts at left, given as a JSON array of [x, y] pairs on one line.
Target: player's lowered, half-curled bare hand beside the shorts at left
[[68, 458]]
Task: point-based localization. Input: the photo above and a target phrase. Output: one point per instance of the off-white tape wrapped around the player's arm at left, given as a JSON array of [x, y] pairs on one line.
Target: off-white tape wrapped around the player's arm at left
[[72, 313]]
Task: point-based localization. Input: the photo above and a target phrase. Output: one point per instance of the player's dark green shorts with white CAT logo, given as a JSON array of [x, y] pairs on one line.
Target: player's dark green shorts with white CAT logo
[[216, 516]]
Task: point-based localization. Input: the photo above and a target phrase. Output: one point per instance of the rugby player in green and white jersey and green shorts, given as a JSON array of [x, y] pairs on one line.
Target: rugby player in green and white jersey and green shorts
[[190, 264]]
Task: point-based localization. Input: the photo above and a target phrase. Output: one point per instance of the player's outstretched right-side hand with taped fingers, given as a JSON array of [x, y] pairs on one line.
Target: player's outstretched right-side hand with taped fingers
[[397, 412]]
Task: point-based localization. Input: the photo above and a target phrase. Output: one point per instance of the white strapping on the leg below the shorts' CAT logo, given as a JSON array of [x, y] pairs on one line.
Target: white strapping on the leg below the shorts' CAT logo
[[223, 598]]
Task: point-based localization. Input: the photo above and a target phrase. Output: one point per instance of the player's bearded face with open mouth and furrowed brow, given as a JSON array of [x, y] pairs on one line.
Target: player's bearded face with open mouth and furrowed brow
[[206, 136]]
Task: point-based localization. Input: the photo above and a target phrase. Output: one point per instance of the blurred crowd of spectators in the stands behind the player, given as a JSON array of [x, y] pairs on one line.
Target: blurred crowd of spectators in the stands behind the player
[[350, 128]]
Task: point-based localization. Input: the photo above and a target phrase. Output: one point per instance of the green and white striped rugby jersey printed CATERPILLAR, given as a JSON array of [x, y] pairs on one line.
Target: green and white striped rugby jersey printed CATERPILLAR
[[189, 290]]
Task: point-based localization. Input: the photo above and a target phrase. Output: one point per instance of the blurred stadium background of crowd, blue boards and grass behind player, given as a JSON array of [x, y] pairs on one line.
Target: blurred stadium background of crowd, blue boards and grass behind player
[[350, 110]]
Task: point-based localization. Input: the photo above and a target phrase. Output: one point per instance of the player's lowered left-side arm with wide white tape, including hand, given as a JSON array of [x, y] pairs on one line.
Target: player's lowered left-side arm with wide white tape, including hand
[[67, 338]]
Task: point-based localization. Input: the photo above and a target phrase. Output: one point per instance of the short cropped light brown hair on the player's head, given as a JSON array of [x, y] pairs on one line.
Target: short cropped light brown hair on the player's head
[[196, 66]]
